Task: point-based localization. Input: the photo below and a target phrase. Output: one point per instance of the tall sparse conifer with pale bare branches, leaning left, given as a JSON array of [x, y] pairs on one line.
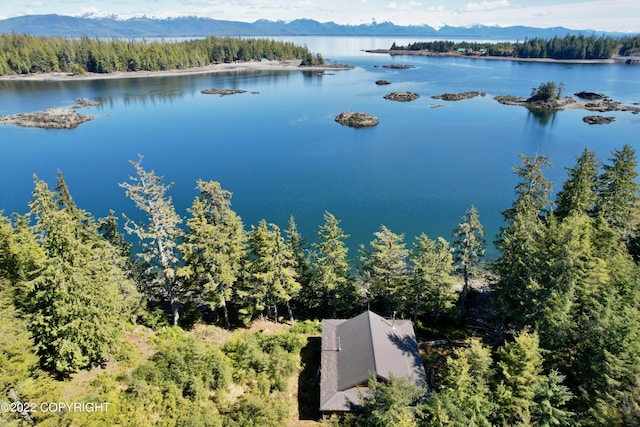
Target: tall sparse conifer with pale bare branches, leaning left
[[159, 236]]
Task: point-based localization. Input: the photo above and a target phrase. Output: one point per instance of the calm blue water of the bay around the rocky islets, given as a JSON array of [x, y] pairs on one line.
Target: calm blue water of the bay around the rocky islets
[[281, 153]]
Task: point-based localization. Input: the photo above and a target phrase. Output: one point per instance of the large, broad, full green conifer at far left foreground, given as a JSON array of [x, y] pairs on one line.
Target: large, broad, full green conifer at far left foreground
[[75, 304]]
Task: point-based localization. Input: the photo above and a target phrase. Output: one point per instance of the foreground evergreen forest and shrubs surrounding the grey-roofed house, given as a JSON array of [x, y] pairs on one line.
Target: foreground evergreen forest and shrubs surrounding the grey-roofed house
[[548, 334]]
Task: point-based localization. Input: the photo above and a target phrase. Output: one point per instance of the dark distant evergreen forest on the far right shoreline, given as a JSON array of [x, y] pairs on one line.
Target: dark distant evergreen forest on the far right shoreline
[[569, 47]]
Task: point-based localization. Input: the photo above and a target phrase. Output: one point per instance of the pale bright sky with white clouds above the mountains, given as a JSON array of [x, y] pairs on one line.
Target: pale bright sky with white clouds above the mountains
[[598, 15]]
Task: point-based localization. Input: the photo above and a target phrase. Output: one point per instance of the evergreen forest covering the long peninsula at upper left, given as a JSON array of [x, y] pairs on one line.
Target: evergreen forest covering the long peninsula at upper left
[[22, 54]]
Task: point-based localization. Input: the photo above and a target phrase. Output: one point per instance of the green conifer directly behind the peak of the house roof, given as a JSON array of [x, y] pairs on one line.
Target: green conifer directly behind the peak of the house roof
[[388, 270]]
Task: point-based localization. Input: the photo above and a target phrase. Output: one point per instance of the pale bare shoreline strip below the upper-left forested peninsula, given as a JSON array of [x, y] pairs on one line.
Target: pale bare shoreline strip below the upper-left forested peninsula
[[286, 65]]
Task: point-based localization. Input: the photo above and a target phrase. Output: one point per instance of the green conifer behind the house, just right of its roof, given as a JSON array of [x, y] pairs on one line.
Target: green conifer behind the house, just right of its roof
[[432, 264]]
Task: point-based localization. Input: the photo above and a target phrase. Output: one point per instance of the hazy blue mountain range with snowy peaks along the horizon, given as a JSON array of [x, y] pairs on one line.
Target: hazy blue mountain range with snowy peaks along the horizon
[[69, 26]]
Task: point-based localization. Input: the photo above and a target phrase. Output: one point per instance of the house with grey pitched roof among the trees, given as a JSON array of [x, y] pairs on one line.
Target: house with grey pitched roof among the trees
[[353, 349]]
